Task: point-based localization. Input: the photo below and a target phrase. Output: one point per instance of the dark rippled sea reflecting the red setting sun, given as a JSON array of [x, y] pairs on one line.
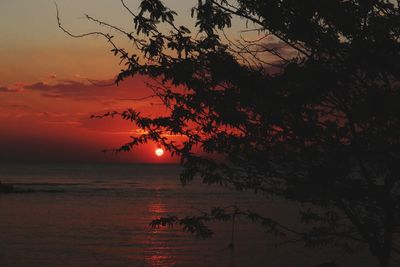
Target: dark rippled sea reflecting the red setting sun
[[102, 219]]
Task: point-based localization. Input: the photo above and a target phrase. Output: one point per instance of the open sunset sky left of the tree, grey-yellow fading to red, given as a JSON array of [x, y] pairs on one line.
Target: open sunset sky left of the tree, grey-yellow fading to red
[[51, 83]]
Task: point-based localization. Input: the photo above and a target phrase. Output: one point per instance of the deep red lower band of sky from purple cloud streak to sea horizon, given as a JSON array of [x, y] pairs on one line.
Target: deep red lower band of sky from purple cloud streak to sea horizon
[[57, 116]]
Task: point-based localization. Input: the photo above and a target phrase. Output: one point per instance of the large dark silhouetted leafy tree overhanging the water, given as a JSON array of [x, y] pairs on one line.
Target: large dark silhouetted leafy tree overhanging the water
[[307, 110]]
